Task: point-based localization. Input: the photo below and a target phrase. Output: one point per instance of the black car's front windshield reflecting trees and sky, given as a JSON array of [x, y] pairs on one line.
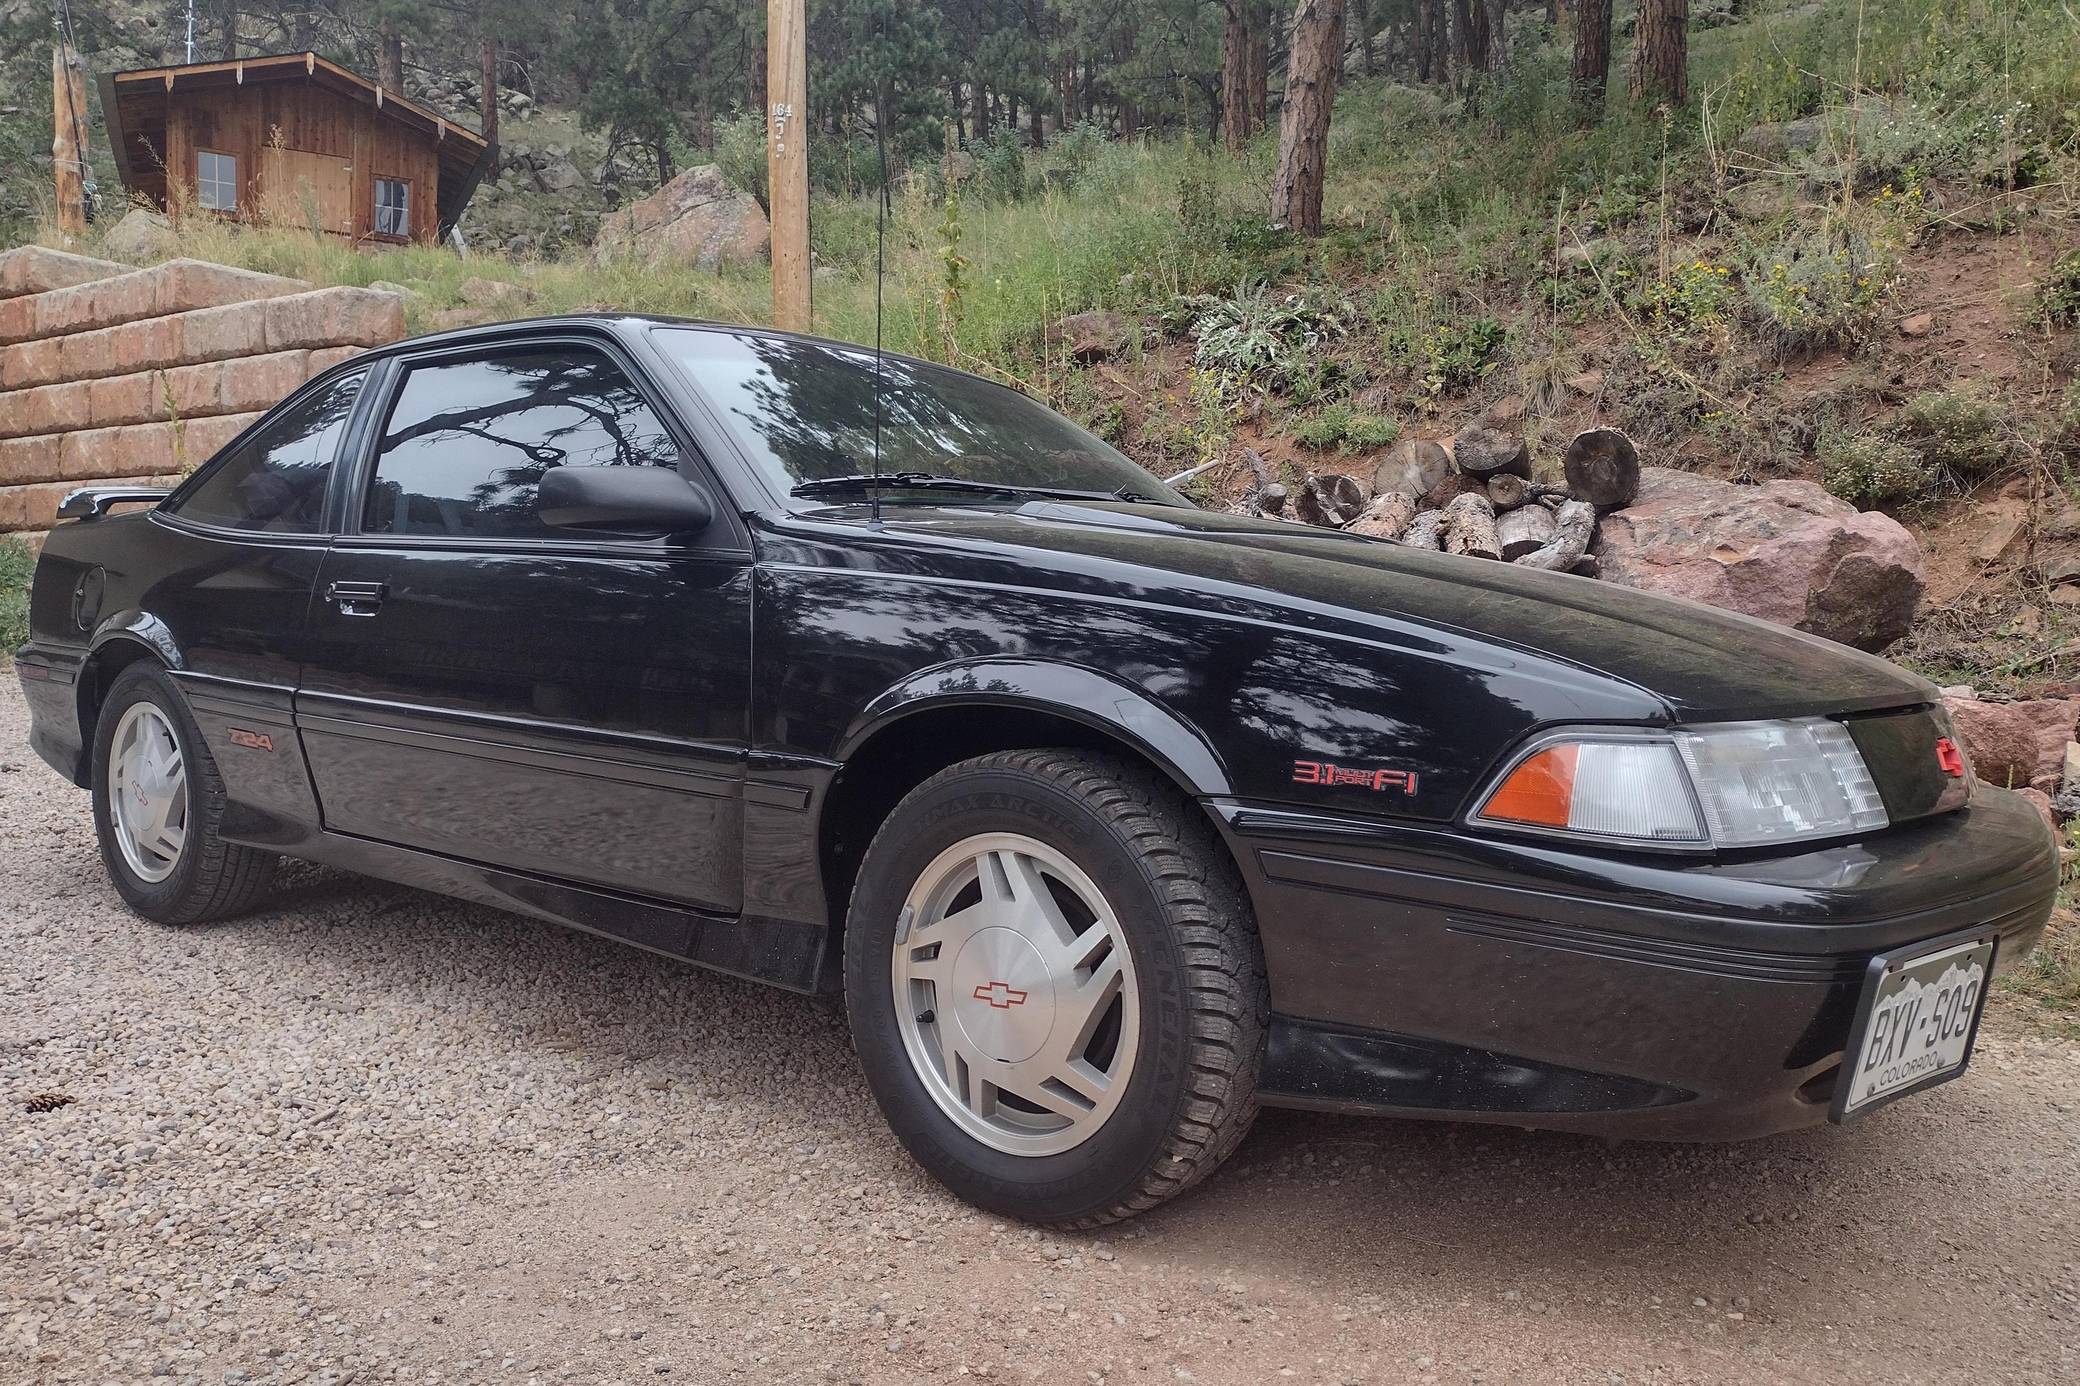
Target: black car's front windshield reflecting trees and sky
[[806, 411]]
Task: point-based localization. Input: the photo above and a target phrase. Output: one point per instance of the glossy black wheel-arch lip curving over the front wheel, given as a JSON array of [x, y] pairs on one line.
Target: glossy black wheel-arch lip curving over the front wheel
[[1064, 690]]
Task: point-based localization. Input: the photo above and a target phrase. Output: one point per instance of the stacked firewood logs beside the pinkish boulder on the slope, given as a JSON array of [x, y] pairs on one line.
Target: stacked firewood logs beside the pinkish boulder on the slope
[[1470, 496]]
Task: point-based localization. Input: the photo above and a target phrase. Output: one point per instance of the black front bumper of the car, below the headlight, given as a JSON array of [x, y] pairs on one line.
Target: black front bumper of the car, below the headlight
[[1430, 973]]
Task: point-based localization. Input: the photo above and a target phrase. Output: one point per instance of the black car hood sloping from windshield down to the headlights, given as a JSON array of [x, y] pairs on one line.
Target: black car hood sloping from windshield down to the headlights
[[1702, 663]]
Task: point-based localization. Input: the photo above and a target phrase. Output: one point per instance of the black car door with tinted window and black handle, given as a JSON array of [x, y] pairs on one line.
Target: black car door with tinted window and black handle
[[490, 688]]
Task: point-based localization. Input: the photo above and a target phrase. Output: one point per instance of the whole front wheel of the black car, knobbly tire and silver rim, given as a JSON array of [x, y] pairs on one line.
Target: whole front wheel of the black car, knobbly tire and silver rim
[[937, 925]]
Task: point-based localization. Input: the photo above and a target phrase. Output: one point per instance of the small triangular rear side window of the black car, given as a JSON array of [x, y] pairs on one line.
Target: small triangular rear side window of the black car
[[276, 480]]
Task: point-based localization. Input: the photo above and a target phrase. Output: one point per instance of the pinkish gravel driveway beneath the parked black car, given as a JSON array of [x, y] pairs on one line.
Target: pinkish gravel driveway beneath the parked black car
[[378, 1135]]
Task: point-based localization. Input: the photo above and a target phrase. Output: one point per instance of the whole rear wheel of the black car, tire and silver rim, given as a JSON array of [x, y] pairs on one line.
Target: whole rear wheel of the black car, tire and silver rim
[[201, 879]]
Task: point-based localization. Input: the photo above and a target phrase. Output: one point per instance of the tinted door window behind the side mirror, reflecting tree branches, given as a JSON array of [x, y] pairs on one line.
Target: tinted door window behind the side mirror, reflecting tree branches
[[467, 442]]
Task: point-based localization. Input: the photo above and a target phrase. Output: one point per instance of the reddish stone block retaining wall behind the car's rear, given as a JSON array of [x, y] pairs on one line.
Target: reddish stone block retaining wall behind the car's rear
[[113, 374]]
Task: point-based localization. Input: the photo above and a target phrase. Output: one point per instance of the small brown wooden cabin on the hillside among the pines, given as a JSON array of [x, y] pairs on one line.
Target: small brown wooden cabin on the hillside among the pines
[[292, 140]]
